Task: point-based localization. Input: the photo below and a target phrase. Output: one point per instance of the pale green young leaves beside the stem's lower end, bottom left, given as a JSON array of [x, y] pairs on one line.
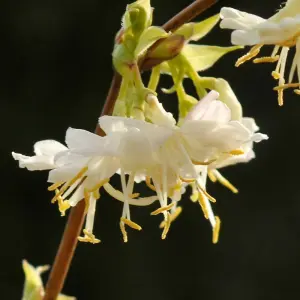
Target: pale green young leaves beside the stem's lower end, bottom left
[[33, 287]]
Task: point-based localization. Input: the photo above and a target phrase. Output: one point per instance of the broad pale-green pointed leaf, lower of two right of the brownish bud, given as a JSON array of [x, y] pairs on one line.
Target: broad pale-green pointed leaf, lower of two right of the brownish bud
[[203, 57]]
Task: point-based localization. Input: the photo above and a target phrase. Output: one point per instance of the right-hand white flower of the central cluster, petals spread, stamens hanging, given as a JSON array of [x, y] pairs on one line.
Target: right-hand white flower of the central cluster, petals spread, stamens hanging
[[207, 133]]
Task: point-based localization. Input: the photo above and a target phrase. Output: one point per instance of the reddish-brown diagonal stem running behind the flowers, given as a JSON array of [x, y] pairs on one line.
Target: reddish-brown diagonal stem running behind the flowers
[[74, 224]]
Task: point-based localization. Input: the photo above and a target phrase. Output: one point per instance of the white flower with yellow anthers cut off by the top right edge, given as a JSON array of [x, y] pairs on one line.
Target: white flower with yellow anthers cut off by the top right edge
[[282, 30]]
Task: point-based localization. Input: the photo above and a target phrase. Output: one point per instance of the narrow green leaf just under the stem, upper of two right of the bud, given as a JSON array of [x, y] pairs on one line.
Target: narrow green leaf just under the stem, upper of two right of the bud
[[196, 31]]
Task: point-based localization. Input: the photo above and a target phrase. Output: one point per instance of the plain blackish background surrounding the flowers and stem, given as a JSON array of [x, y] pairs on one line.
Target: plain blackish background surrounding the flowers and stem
[[55, 71]]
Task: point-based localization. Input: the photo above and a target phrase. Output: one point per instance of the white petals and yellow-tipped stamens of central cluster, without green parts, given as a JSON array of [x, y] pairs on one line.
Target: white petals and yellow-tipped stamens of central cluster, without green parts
[[166, 156]]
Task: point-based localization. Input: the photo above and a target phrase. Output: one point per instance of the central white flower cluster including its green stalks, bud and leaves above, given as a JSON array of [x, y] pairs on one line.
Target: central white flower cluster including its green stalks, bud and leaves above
[[143, 143]]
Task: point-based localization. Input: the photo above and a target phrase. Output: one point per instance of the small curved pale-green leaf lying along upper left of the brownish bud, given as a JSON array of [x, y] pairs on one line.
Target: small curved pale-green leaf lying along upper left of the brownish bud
[[148, 38]]
